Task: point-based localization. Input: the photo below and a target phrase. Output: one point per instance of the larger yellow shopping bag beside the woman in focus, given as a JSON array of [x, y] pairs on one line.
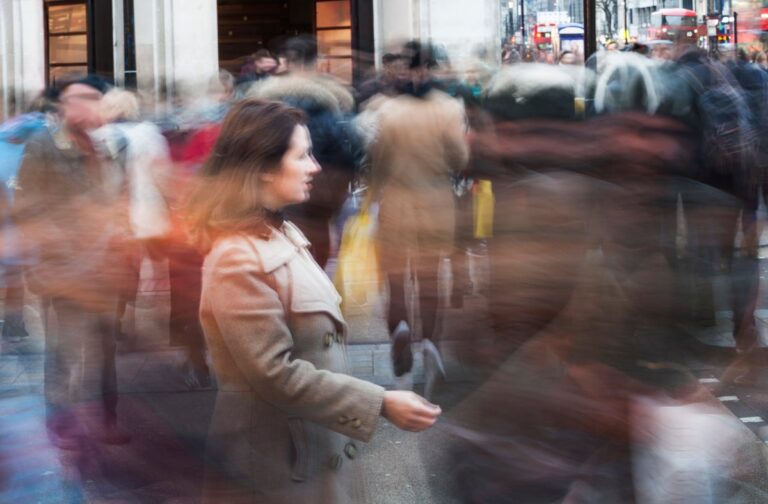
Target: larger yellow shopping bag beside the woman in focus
[[357, 277]]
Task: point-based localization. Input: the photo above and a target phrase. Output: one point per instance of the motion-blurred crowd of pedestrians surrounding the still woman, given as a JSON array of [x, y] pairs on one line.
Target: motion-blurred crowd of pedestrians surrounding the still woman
[[619, 191]]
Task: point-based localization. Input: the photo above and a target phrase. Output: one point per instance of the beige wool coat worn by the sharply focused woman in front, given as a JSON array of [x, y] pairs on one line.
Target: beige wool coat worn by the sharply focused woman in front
[[288, 421]]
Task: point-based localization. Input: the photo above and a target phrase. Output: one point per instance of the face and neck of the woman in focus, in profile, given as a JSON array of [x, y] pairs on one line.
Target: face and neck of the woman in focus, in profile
[[292, 183]]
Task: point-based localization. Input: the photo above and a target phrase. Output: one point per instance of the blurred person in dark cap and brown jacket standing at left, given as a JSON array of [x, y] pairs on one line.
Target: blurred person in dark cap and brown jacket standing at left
[[71, 205]]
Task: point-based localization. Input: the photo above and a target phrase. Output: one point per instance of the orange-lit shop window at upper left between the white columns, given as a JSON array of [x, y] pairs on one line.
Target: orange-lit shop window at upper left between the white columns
[[67, 39]]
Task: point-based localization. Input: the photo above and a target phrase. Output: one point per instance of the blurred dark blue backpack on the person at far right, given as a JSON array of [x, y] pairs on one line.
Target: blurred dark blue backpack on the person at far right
[[729, 143]]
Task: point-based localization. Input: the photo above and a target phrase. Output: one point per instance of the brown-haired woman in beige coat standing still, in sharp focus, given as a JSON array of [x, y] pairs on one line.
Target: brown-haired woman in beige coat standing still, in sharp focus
[[286, 413]]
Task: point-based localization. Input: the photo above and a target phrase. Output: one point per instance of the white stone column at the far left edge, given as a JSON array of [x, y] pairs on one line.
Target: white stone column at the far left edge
[[22, 54]]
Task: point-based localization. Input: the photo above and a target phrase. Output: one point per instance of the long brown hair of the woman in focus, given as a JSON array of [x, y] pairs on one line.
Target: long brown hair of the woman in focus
[[254, 137]]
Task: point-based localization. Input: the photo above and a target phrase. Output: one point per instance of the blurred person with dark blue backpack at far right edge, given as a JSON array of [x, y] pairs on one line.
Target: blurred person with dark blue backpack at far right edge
[[730, 115]]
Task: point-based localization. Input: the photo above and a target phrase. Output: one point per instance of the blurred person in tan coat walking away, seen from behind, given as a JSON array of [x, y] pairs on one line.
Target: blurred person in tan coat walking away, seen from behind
[[419, 144]]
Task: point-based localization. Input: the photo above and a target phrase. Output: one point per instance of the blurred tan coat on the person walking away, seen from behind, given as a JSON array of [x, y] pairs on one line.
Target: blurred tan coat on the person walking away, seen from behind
[[417, 145]]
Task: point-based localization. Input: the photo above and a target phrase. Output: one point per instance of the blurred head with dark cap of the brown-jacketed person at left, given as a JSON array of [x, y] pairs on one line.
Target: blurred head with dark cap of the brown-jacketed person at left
[[80, 103]]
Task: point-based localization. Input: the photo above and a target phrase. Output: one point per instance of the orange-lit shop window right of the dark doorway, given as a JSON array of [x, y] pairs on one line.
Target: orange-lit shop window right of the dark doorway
[[333, 25]]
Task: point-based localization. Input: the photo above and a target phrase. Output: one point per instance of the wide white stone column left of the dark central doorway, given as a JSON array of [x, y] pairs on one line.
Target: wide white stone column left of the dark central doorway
[[177, 51]]
